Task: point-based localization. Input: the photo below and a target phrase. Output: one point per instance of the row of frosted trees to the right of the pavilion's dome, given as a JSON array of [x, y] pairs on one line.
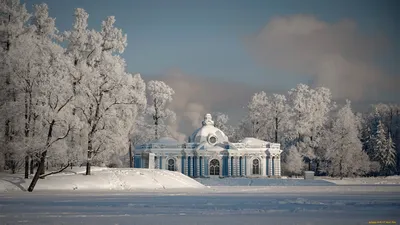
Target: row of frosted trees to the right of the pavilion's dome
[[318, 135]]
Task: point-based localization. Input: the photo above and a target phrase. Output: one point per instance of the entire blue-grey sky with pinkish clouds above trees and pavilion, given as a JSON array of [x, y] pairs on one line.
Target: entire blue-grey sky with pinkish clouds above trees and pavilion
[[216, 53]]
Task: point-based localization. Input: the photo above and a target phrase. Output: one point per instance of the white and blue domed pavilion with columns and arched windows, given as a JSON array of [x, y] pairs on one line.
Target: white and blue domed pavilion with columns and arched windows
[[209, 153]]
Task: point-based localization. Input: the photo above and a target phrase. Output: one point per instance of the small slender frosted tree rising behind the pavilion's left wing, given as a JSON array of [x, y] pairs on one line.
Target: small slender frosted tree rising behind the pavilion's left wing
[[160, 94]]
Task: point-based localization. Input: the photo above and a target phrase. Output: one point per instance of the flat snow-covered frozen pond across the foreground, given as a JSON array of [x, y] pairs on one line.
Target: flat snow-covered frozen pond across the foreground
[[189, 208]]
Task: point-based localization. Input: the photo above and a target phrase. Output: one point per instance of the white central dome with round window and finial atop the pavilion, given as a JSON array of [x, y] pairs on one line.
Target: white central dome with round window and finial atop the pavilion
[[208, 133]]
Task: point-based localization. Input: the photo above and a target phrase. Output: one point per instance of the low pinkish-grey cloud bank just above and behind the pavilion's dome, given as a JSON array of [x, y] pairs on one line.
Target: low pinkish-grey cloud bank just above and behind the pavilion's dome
[[197, 95]]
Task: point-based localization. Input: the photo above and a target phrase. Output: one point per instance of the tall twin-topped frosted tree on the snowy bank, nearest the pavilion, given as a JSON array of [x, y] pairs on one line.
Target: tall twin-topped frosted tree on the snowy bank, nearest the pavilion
[[108, 98]]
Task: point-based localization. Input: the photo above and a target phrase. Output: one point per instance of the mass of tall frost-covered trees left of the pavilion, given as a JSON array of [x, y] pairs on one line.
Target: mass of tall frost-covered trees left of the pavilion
[[66, 98]]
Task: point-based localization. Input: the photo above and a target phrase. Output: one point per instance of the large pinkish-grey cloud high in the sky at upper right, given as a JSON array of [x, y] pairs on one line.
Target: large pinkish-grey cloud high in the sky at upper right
[[335, 55]]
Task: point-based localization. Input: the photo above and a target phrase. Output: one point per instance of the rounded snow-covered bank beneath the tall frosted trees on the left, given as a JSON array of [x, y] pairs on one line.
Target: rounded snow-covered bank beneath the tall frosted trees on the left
[[102, 179]]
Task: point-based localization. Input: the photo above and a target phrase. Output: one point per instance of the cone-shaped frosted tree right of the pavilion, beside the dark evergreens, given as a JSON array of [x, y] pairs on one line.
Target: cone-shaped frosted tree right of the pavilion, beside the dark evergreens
[[344, 152]]
